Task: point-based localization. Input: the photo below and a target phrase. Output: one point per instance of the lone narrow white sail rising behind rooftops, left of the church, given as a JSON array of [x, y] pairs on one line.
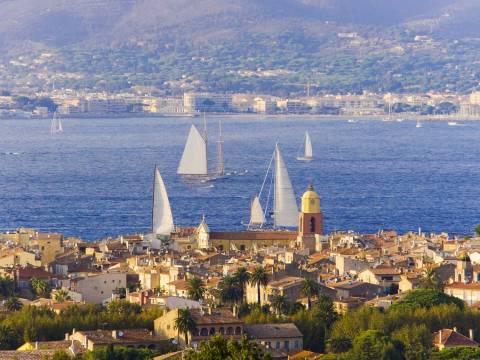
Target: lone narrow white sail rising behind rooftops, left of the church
[[162, 219]]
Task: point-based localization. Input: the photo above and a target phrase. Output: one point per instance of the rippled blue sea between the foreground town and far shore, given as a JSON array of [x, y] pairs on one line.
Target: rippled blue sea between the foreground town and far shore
[[95, 180]]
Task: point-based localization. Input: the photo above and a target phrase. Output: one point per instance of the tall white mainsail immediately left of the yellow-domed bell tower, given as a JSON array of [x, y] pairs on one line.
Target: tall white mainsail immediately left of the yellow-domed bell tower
[[285, 208]]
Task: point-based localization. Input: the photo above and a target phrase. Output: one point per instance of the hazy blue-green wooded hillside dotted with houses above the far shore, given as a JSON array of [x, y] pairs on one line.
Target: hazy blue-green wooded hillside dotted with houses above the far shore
[[213, 42]]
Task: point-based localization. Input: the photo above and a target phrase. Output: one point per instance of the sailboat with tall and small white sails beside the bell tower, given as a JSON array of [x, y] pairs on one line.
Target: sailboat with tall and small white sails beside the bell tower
[[285, 210]]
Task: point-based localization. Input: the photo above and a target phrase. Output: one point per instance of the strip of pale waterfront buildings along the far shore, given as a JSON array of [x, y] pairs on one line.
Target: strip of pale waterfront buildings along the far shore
[[90, 104]]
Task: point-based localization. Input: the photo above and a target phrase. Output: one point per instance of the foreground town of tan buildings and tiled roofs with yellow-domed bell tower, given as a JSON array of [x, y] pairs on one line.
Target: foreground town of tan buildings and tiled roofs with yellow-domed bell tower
[[215, 282]]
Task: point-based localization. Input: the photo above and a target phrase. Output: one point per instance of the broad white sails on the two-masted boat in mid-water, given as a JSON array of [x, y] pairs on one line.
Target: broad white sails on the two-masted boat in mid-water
[[194, 158]]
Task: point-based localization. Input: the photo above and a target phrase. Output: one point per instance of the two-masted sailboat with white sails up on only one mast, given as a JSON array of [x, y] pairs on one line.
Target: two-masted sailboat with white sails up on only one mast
[[194, 162]]
